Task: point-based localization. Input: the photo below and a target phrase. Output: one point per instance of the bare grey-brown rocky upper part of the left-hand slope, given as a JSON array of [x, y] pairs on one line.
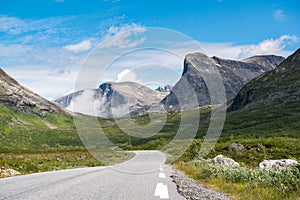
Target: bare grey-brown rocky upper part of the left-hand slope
[[24, 100]]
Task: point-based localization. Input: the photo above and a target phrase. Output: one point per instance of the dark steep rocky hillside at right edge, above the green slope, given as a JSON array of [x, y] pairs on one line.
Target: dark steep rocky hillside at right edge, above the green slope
[[278, 87]]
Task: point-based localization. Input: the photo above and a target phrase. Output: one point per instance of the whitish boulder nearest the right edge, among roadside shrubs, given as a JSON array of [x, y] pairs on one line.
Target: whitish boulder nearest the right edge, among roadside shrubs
[[282, 164]]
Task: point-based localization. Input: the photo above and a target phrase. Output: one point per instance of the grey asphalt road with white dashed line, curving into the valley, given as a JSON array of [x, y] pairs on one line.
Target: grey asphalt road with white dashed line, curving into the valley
[[143, 177]]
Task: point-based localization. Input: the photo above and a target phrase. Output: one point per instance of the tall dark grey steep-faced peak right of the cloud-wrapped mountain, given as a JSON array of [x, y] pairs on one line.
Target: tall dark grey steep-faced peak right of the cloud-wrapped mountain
[[199, 67]]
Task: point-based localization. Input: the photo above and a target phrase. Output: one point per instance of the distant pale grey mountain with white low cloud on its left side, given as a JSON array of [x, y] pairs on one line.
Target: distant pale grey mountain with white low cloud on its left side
[[112, 99]]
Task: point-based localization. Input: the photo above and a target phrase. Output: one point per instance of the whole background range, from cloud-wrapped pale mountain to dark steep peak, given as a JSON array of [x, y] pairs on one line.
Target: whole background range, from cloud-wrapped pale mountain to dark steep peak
[[120, 99]]
